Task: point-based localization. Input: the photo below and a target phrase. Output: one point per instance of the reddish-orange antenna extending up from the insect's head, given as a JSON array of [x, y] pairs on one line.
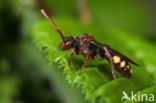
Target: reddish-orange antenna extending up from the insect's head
[[52, 22]]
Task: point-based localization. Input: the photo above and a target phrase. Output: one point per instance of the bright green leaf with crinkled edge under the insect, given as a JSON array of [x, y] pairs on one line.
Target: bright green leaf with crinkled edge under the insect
[[96, 80]]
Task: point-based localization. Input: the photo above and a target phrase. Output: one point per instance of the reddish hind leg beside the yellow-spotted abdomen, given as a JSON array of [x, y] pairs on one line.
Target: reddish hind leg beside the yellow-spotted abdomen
[[111, 62]]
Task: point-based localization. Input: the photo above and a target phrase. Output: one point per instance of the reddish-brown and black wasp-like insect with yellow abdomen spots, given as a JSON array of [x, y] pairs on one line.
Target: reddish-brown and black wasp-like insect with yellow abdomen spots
[[85, 44]]
